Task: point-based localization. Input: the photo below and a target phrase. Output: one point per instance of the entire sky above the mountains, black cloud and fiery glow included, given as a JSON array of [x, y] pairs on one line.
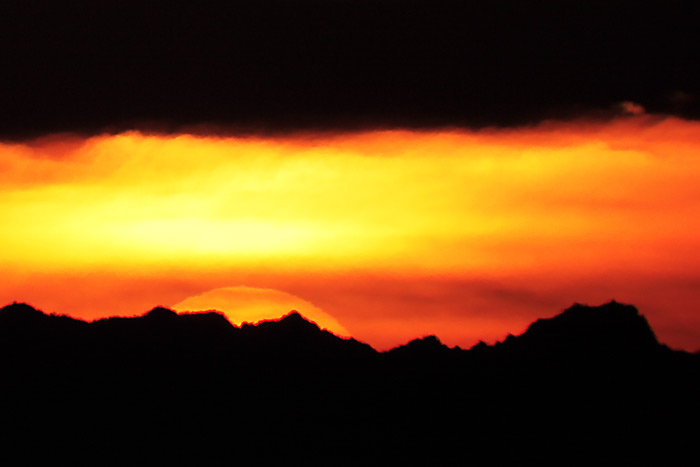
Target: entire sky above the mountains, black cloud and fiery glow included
[[390, 169]]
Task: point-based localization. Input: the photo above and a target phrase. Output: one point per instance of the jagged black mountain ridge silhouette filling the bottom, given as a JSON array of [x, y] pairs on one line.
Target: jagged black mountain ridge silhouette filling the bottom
[[168, 387]]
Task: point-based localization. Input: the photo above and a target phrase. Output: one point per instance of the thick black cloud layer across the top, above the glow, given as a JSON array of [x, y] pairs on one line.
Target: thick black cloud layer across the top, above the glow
[[276, 66]]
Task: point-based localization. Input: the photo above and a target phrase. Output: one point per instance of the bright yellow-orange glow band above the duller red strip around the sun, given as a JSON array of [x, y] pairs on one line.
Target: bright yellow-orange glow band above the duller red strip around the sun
[[389, 197]]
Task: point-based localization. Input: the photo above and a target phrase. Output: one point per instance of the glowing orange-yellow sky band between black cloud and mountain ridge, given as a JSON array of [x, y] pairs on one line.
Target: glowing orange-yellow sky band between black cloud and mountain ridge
[[387, 235]]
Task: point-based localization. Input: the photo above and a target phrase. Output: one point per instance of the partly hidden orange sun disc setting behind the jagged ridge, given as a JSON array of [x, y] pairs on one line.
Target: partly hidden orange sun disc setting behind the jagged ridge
[[243, 304]]
